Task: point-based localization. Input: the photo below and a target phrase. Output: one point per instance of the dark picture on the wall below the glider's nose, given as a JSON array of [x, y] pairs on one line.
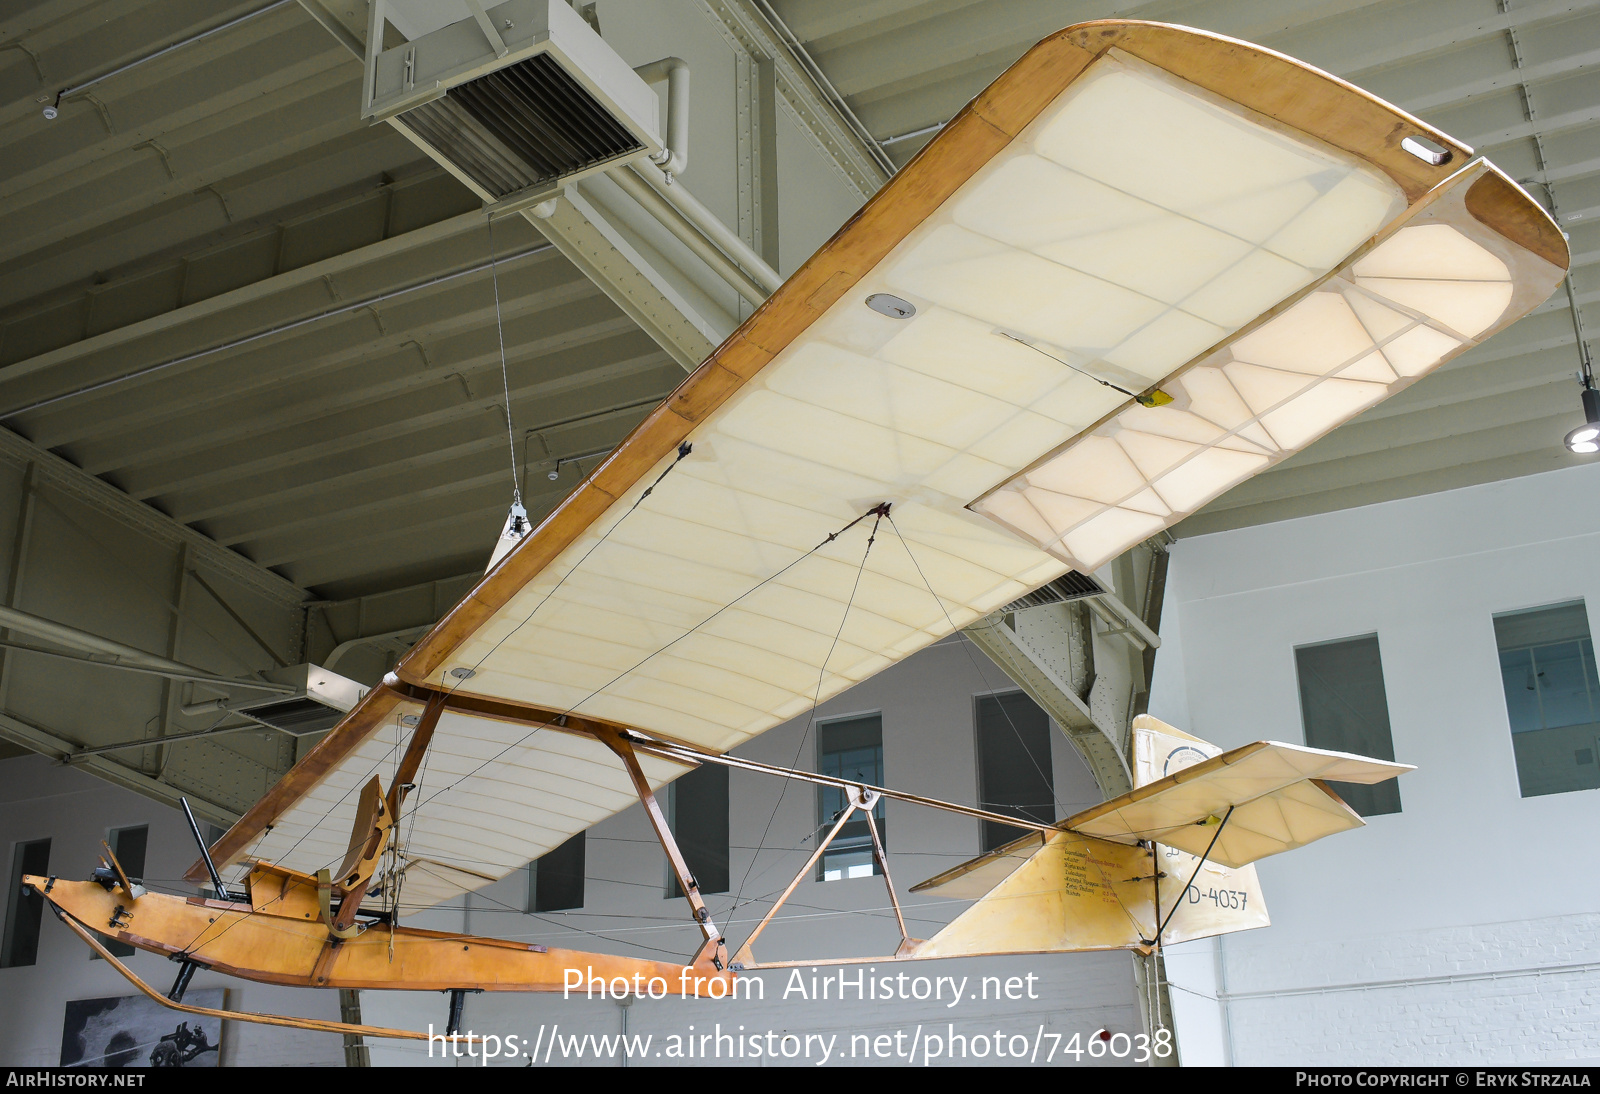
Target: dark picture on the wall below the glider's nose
[[132, 1031]]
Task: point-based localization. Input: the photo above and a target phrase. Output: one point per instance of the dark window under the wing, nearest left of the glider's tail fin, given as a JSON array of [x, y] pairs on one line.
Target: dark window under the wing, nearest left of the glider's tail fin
[[1015, 777]]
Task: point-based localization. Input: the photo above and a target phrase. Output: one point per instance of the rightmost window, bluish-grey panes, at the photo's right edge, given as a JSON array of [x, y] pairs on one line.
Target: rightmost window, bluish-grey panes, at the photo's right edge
[[1553, 698]]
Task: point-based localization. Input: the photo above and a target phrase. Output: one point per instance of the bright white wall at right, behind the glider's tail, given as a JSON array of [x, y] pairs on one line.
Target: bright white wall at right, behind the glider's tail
[[1465, 928]]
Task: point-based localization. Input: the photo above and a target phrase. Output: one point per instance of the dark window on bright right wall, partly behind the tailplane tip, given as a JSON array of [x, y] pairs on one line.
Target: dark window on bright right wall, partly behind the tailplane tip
[[1345, 709]]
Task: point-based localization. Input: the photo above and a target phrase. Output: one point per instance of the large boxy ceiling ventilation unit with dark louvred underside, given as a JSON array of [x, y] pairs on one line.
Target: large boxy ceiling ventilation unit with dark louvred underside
[[516, 100]]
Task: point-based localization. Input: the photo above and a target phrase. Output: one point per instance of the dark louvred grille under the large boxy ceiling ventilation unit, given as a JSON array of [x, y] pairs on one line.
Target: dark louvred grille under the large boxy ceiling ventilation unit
[[524, 126]]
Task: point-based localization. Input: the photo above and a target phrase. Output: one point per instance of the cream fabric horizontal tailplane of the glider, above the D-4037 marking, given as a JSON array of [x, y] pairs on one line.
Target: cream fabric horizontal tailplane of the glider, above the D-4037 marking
[[1276, 793]]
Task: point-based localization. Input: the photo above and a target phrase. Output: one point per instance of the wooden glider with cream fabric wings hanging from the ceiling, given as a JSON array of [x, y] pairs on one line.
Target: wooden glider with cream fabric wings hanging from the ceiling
[[1143, 266]]
